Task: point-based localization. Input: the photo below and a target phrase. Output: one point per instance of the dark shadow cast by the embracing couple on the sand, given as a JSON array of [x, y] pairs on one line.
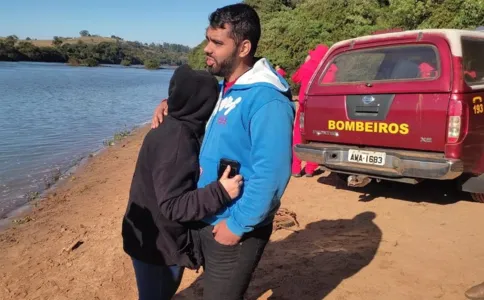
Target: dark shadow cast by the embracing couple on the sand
[[310, 263]]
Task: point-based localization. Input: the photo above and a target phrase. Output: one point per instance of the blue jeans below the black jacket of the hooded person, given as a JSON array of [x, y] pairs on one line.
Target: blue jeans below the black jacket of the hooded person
[[156, 282]]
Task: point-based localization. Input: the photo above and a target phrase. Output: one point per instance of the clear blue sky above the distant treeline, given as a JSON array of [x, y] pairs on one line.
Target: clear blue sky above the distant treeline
[[173, 21]]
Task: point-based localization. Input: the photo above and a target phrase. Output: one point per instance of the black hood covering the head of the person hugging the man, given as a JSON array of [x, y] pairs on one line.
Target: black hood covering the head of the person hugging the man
[[192, 96]]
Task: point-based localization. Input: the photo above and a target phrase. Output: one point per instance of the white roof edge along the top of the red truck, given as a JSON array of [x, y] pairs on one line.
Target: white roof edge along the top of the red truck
[[452, 35]]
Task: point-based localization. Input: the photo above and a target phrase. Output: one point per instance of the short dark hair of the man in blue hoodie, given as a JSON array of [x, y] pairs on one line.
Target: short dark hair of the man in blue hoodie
[[244, 21]]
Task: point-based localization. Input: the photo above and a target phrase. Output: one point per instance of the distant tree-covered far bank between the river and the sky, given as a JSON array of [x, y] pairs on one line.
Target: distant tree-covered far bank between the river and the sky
[[92, 50]]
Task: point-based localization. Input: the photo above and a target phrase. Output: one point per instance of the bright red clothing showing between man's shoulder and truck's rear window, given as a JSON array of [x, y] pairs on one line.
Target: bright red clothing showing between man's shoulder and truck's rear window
[[306, 70]]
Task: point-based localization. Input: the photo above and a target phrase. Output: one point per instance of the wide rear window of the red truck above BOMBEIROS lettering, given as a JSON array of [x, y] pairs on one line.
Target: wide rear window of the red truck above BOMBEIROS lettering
[[392, 63]]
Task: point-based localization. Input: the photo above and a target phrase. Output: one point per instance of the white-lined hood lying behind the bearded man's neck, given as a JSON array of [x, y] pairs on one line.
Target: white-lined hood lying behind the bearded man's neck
[[262, 74]]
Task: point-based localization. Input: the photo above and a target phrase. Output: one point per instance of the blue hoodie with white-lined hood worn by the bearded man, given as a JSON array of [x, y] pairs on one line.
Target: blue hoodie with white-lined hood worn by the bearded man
[[252, 123]]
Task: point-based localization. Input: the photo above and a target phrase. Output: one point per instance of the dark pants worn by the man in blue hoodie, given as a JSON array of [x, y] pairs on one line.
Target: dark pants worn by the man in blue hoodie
[[228, 269]]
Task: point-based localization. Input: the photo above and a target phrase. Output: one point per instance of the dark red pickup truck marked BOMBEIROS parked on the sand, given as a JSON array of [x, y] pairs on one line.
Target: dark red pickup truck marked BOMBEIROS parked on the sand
[[403, 106]]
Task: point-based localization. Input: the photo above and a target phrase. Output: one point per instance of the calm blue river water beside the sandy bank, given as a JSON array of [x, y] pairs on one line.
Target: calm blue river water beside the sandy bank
[[53, 115]]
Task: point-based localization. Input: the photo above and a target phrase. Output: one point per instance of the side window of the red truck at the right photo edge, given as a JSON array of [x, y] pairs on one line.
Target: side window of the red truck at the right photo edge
[[473, 64]]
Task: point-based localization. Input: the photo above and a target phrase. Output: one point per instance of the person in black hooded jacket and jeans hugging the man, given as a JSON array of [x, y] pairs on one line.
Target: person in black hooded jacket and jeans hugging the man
[[164, 202]]
